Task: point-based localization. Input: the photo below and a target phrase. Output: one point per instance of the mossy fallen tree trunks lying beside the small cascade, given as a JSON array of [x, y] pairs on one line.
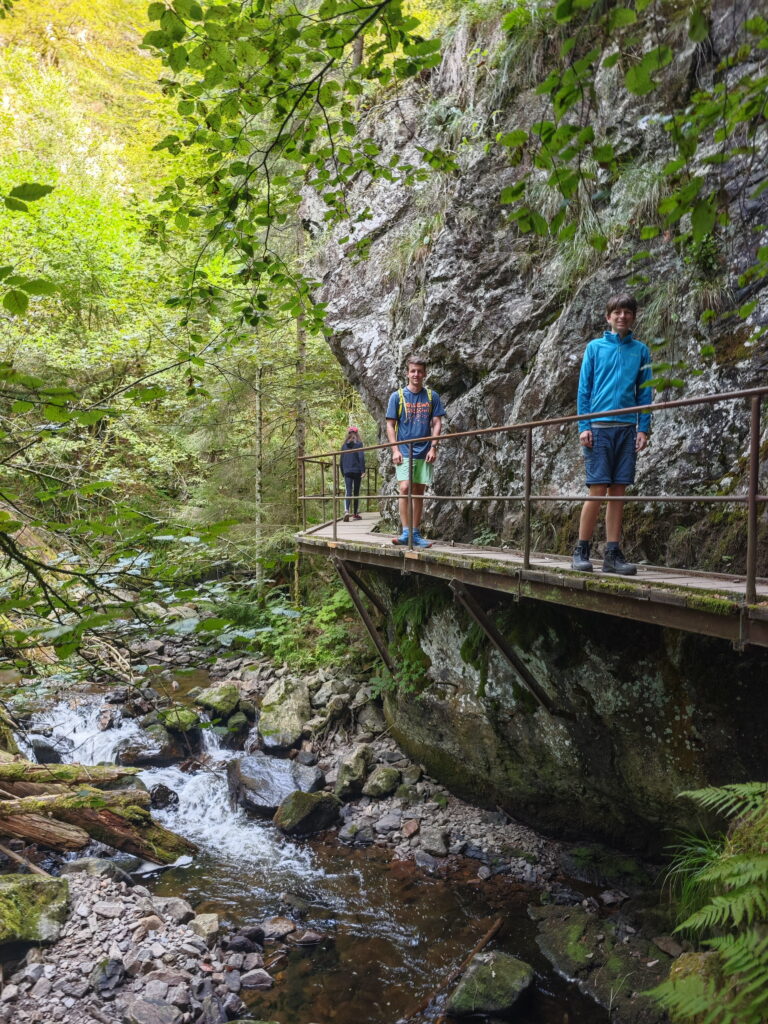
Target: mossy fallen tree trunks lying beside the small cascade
[[68, 819]]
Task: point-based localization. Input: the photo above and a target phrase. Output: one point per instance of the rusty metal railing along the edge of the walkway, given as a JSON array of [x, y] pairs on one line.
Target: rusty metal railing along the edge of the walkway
[[751, 500]]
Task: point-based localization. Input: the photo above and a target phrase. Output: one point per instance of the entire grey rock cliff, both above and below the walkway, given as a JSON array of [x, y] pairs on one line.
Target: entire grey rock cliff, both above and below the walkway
[[504, 319]]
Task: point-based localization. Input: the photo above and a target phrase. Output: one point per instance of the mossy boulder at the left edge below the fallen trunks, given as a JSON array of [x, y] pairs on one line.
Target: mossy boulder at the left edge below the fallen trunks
[[33, 909]]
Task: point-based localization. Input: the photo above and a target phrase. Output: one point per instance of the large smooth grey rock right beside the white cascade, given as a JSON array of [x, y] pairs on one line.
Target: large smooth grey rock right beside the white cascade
[[261, 784]]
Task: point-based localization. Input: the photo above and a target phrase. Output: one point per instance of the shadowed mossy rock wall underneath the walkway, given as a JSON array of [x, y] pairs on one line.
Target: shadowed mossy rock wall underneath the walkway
[[645, 713]]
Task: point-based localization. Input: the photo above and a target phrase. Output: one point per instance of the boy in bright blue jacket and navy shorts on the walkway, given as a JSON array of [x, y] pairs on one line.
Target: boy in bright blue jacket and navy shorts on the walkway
[[615, 373]]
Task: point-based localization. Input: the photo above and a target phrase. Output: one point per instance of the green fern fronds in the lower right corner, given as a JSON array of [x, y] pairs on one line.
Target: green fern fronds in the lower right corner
[[724, 890]]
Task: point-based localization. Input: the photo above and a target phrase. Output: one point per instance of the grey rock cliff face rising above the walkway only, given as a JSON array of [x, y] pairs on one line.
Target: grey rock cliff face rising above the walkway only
[[504, 318]]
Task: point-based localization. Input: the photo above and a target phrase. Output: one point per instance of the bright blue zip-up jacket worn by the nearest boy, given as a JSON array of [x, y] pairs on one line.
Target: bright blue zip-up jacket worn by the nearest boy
[[614, 371]]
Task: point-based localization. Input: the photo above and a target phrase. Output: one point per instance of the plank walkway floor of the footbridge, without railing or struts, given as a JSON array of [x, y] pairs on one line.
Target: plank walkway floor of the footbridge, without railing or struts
[[708, 604]]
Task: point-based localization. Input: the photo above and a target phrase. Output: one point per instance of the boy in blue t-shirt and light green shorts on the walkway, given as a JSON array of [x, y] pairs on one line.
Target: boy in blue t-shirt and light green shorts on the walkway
[[414, 412]]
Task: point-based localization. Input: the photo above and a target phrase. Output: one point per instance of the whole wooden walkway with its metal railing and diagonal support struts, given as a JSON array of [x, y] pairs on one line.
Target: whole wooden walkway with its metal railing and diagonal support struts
[[730, 607]]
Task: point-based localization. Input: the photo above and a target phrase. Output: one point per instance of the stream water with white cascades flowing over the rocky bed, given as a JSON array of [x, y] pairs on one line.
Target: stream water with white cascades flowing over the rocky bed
[[394, 934]]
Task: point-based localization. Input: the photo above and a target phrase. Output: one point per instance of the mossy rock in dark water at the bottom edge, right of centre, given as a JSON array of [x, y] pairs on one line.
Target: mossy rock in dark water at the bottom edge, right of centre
[[492, 985]]
